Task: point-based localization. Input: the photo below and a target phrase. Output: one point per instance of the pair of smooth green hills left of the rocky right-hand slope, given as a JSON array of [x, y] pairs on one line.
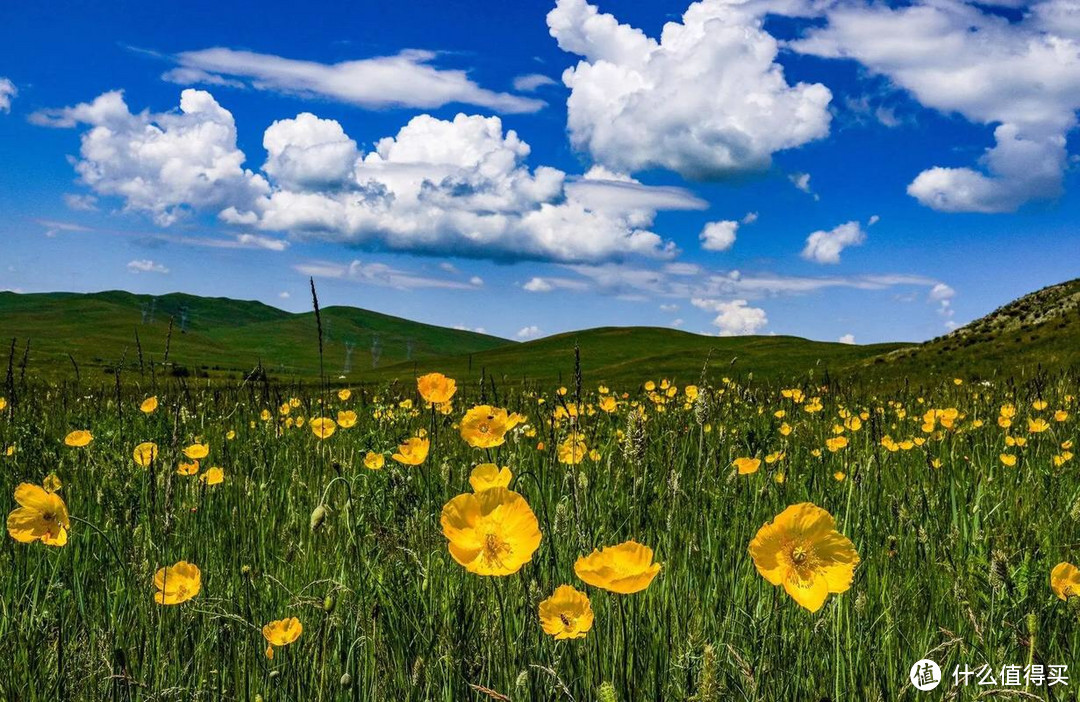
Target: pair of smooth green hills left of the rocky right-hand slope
[[221, 337]]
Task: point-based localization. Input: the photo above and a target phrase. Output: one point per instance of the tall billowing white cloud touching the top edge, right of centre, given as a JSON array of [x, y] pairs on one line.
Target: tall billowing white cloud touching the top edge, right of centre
[[708, 101]]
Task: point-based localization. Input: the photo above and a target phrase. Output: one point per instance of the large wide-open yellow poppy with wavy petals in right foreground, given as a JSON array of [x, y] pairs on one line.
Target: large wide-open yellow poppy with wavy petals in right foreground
[[802, 550]]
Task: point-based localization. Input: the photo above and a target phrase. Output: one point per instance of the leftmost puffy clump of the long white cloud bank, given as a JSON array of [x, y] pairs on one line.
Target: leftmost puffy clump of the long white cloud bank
[[161, 165]]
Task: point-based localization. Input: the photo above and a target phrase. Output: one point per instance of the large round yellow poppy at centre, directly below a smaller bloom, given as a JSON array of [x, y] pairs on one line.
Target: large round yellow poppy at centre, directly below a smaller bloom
[[494, 533]]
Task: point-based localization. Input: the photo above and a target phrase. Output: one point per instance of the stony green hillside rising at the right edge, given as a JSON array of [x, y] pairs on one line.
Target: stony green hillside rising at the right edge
[[1038, 331]]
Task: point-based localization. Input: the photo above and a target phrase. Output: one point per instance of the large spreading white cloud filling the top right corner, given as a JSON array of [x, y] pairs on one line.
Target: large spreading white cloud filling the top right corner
[[1023, 77]]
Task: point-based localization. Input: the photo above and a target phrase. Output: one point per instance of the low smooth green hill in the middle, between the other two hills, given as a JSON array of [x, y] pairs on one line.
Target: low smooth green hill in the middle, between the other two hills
[[614, 355]]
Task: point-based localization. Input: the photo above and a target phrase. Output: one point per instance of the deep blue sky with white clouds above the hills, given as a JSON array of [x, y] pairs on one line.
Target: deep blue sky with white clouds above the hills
[[828, 170]]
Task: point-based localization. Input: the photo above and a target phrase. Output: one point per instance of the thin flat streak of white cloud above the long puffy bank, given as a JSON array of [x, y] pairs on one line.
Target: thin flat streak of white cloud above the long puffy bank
[[408, 79]]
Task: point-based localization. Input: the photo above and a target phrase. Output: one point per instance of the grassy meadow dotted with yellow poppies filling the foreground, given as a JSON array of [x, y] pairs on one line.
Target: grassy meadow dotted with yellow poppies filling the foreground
[[672, 539]]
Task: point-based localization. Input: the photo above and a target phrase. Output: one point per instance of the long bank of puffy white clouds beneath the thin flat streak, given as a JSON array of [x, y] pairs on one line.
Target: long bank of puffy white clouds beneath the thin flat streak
[[456, 186]]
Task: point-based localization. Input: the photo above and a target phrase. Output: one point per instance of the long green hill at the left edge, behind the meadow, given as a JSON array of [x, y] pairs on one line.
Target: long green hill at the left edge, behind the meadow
[[215, 336]]
